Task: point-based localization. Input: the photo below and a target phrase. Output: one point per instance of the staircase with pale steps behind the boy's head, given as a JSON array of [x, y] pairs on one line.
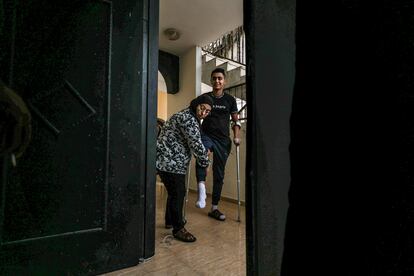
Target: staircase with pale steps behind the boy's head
[[235, 72]]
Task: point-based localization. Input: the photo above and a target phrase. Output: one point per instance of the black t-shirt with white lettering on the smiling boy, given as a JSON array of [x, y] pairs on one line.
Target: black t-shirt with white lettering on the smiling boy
[[216, 125]]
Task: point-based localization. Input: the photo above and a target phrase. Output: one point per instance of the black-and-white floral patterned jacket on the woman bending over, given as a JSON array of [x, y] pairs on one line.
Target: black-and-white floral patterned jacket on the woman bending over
[[179, 137]]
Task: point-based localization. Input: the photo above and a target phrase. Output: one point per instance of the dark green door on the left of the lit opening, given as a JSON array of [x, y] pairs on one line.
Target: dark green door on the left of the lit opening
[[80, 200]]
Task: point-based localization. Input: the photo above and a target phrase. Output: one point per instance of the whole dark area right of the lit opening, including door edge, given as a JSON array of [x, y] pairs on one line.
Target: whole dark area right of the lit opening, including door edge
[[349, 137]]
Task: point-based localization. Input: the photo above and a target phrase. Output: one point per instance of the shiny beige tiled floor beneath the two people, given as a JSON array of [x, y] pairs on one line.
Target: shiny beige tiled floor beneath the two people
[[219, 249]]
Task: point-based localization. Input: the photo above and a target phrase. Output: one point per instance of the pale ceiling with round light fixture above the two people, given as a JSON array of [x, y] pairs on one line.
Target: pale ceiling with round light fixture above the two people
[[198, 21]]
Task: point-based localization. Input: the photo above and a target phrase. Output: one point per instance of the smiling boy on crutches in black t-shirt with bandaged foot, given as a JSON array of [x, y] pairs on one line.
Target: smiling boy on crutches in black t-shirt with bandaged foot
[[216, 139]]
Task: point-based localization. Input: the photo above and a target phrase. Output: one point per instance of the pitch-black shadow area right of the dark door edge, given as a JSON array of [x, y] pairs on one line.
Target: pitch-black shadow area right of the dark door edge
[[351, 194]]
